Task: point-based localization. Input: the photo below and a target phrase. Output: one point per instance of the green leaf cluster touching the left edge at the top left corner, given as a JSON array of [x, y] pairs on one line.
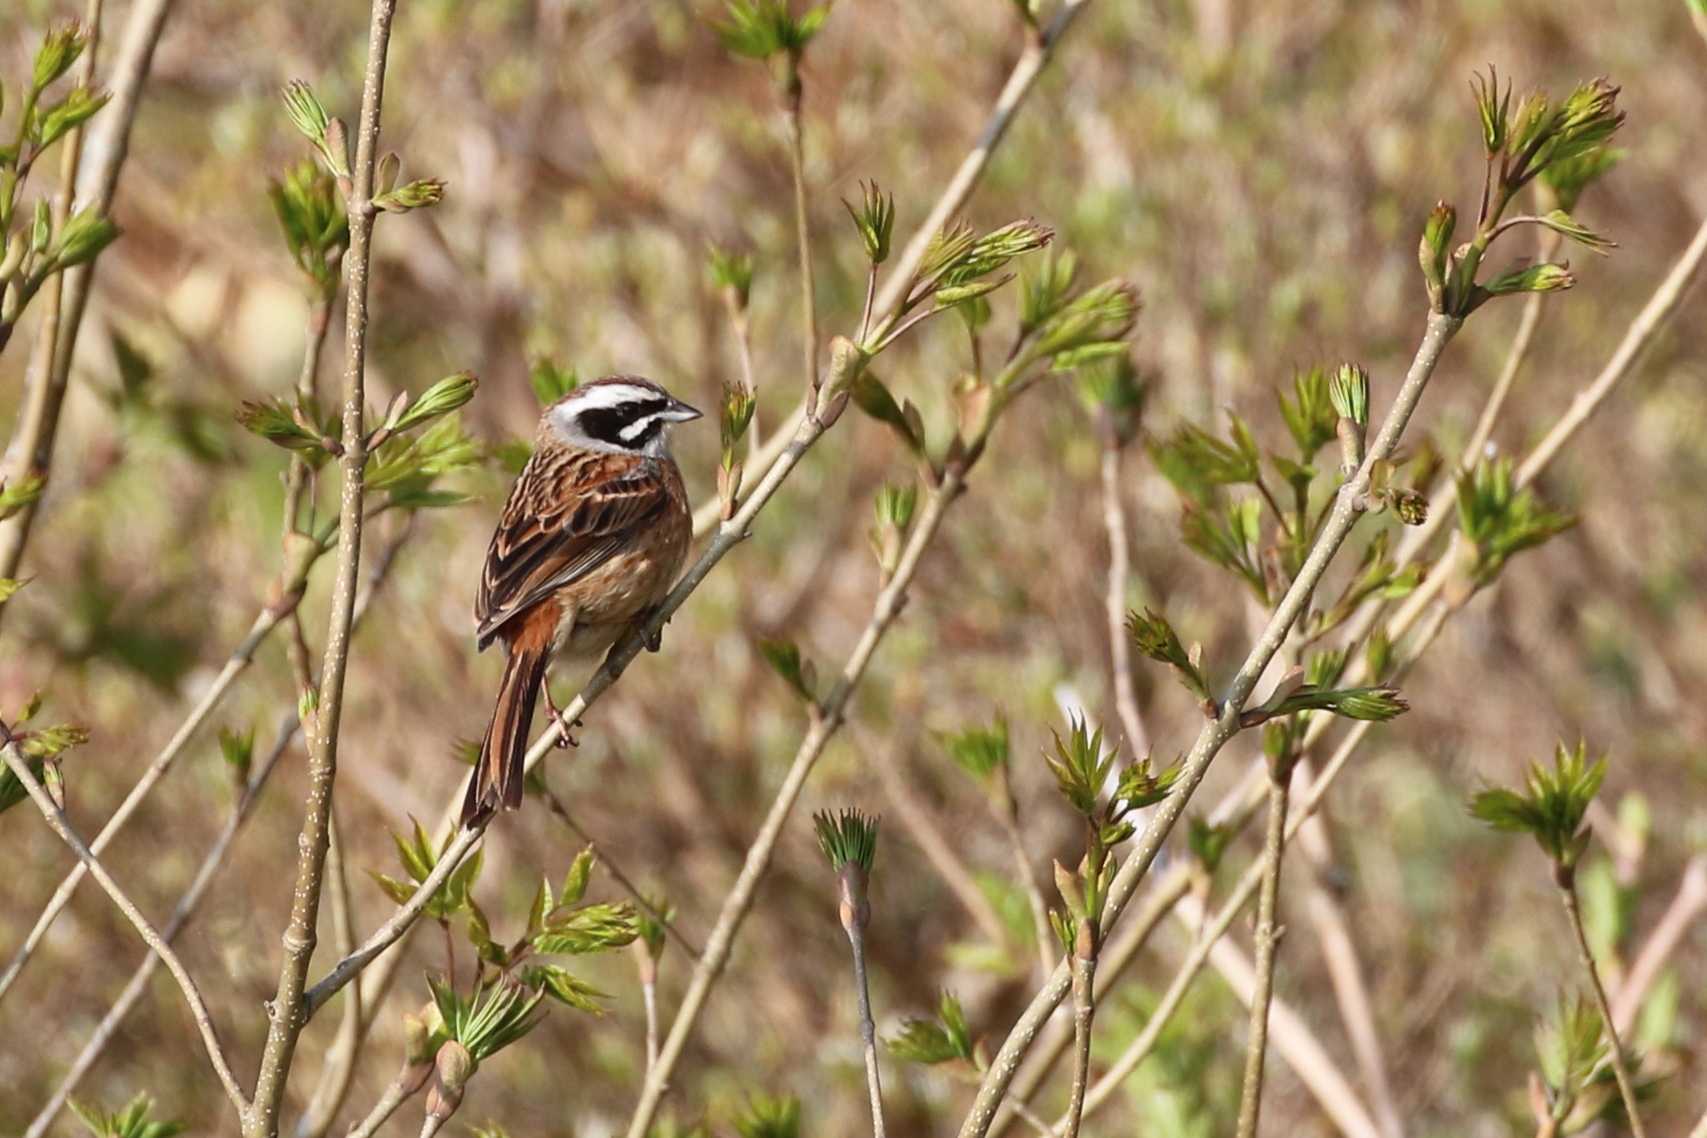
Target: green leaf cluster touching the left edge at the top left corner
[[40, 245]]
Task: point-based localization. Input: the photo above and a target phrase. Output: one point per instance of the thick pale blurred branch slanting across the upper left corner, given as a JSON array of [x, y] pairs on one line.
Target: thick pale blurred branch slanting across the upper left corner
[[108, 144]]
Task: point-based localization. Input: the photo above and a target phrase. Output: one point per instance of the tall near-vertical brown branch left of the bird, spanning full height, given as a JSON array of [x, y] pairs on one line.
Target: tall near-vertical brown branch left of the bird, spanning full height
[[288, 1013]]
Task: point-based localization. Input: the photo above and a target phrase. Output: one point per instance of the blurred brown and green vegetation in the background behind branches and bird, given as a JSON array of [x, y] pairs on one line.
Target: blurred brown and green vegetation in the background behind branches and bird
[[1261, 171]]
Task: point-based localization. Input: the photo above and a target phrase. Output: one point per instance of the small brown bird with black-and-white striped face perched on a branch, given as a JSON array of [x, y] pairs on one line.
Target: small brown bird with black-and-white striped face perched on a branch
[[593, 537]]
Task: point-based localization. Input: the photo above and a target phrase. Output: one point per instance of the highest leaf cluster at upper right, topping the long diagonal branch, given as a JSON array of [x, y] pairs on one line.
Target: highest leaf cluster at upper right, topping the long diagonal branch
[[1566, 144]]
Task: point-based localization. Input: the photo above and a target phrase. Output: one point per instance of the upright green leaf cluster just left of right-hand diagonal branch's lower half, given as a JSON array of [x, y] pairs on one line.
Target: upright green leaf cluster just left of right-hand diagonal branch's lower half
[[1085, 770]]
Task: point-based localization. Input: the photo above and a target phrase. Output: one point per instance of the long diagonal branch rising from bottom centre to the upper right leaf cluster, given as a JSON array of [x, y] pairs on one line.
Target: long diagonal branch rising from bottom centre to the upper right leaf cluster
[[1226, 724]]
